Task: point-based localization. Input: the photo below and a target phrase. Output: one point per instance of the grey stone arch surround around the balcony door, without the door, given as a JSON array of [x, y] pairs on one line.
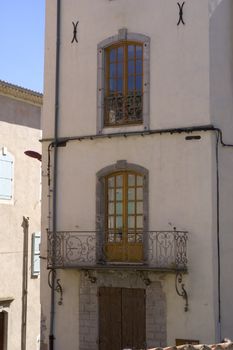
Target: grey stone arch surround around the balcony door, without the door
[[100, 201]]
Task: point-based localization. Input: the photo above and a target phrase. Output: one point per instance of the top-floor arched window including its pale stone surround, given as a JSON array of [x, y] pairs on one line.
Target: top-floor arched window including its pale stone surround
[[123, 81]]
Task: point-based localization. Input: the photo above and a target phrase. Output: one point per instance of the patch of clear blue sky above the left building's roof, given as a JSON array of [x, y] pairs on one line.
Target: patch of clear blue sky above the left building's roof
[[22, 42]]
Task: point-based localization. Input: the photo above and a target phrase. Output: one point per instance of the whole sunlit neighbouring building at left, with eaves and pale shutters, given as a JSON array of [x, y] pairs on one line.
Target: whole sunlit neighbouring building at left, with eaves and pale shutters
[[20, 208]]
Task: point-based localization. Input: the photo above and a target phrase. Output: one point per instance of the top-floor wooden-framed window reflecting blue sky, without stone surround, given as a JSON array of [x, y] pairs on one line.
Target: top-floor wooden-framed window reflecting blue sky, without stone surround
[[123, 80]]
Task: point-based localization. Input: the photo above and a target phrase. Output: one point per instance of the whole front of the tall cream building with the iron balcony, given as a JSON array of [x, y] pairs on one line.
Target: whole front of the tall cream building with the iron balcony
[[137, 157]]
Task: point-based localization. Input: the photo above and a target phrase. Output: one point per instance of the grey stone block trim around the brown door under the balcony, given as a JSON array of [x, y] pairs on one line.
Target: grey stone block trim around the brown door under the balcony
[[155, 307]]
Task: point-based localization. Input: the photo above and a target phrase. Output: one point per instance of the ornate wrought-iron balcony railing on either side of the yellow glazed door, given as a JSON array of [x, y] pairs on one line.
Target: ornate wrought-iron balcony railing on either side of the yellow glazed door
[[165, 250]]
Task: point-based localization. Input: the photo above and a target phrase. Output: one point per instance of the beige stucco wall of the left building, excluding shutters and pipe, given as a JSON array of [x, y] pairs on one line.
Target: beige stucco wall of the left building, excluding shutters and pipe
[[19, 134]]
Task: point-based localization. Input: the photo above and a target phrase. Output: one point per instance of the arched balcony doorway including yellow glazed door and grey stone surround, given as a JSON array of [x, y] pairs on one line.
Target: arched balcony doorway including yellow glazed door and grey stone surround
[[122, 212]]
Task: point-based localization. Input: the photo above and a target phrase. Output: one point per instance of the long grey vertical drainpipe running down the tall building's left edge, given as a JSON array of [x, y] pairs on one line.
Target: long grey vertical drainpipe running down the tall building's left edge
[[54, 207]]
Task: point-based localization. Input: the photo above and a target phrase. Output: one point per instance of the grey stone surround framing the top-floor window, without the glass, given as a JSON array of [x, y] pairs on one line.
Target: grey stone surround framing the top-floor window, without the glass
[[122, 35]]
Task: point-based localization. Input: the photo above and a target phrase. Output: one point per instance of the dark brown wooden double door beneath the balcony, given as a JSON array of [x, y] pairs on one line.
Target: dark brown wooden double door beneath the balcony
[[122, 321]]
